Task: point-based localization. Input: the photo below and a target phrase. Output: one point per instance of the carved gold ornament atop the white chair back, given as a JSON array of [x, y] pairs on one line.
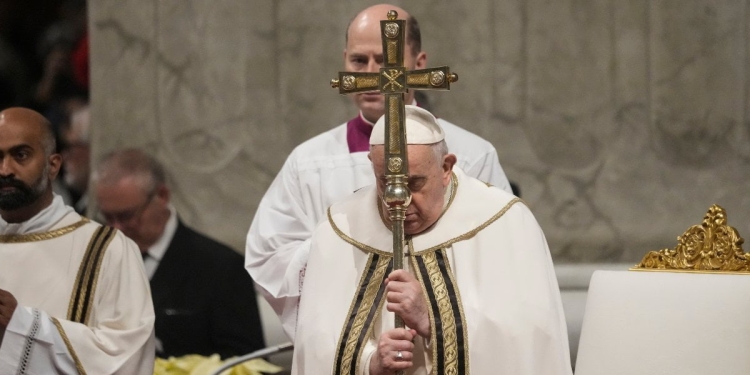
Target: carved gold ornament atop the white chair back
[[711, 246]]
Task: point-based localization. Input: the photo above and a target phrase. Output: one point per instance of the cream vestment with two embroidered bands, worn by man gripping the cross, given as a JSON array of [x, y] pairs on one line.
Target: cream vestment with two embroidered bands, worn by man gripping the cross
[[486, 275]]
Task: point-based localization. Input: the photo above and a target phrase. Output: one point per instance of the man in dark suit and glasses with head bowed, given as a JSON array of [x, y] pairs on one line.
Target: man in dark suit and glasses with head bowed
[[204, 300]]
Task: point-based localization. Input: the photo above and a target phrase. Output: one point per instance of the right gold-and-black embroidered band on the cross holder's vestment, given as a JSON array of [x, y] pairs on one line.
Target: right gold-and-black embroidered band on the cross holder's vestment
[[450, 343]]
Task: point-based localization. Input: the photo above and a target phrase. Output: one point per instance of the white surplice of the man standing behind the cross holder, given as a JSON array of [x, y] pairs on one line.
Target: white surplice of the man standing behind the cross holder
[[316, 174]]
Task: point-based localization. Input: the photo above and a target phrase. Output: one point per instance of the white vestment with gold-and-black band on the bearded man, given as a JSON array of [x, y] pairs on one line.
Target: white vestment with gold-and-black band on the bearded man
[[105, 328]]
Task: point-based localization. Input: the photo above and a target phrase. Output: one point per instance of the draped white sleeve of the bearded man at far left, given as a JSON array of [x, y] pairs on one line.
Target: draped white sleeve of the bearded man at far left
[[117, 338]]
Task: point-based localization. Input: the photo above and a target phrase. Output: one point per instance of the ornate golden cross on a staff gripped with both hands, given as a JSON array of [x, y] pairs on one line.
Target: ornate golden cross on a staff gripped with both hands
[[393, 81]]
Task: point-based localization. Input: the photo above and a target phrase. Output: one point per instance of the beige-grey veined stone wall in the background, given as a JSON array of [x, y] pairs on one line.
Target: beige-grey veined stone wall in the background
[[622, 121]]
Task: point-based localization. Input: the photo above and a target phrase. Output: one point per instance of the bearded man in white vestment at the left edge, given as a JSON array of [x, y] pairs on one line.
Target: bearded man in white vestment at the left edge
[[74, 298]]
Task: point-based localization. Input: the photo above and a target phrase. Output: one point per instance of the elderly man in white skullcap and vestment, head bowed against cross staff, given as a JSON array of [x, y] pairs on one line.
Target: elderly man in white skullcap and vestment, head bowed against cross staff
[[478, 292]]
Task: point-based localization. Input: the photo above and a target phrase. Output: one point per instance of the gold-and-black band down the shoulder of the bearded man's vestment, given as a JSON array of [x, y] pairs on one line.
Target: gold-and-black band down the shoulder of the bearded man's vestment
[[84, 288]]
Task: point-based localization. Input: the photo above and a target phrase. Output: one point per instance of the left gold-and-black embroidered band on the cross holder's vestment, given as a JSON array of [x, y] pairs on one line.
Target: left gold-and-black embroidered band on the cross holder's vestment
[[363, 311]]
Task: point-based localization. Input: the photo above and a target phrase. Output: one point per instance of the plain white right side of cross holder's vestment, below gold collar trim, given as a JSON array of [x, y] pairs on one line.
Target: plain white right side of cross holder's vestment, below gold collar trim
[[516, 323]]
